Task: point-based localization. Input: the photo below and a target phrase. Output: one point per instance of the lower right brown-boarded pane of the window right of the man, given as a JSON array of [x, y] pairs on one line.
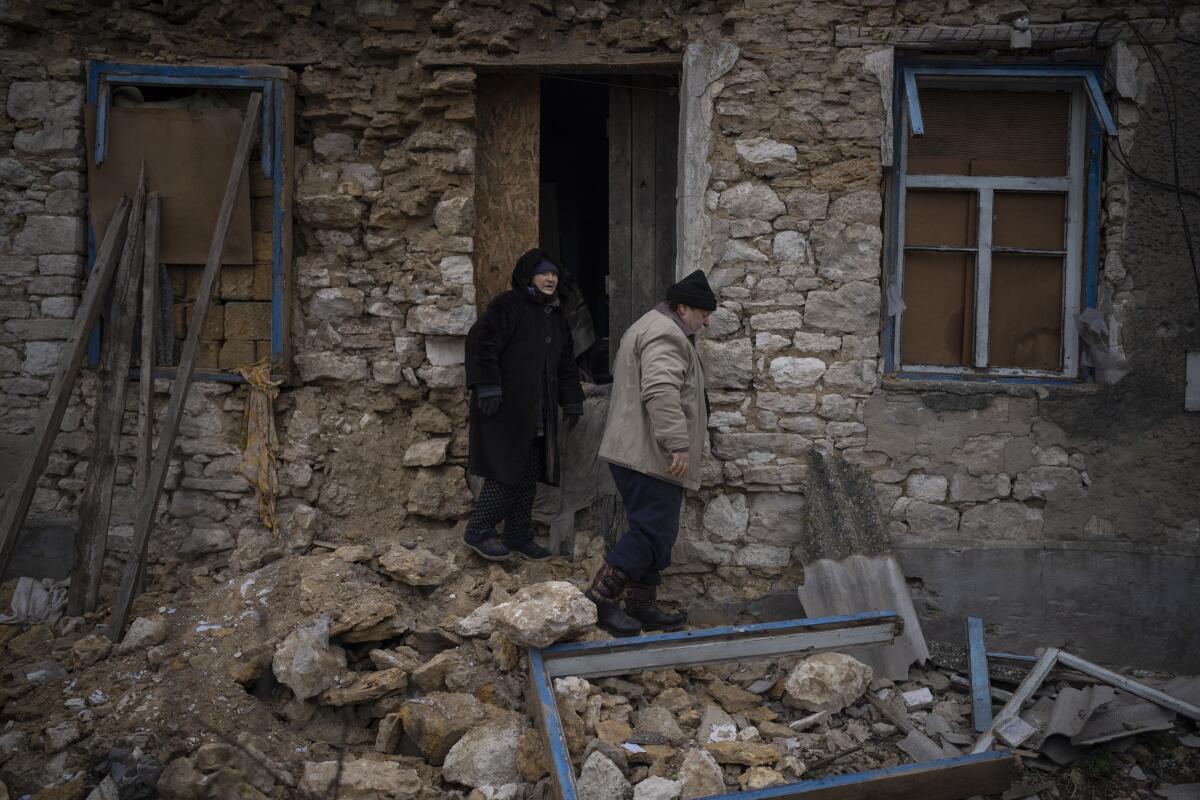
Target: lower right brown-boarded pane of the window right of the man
[[1027, 312]]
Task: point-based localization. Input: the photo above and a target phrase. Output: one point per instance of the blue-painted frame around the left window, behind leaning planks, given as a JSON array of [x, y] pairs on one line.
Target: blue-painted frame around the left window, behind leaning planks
[[274, 83]]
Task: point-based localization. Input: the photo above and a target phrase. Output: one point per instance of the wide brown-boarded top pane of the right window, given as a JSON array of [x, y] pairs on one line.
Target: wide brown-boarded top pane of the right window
[[976, 133]]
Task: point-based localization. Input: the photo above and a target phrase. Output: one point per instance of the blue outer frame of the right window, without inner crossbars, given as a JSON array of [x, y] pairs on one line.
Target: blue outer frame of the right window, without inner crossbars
[[907, 112]]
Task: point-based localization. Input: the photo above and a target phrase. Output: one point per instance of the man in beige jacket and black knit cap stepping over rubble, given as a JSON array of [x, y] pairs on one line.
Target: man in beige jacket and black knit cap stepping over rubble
[[653, 438]]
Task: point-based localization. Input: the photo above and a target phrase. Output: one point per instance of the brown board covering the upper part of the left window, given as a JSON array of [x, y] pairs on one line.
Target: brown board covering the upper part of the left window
[[188, 155]]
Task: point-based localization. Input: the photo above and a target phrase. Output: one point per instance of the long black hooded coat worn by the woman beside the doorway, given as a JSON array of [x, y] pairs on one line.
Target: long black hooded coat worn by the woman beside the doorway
[[523, 345]]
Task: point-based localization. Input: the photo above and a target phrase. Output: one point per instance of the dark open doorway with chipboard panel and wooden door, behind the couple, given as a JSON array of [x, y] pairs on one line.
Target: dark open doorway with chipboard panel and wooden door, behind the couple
[[604, 184]]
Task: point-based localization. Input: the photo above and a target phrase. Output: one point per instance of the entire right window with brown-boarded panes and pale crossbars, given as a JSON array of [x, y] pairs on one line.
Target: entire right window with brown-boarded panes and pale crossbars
[[995, 207]]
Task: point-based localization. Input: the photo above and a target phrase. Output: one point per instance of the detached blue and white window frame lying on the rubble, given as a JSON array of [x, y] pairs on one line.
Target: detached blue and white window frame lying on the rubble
[[970, 773]]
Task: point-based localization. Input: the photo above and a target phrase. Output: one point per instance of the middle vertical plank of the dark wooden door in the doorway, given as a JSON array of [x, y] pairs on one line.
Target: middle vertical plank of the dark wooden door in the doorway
[[644, 197]]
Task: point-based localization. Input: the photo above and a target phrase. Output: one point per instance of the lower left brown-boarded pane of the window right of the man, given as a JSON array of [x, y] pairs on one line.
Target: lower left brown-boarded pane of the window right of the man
[[937, 327]]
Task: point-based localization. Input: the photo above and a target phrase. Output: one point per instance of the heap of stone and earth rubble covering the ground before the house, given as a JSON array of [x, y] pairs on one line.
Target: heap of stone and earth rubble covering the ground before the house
[[394, 672]]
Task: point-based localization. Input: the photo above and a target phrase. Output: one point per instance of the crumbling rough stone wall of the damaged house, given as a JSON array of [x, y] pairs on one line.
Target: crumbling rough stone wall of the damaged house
[[374, 426]]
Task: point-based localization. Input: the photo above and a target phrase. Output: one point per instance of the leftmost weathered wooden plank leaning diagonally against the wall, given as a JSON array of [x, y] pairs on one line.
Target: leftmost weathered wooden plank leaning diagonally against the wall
[[74, 351]]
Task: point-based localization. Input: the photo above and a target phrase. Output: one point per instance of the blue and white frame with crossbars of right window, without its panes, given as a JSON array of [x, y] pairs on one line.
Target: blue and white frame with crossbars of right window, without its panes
[[1082, 187]]
